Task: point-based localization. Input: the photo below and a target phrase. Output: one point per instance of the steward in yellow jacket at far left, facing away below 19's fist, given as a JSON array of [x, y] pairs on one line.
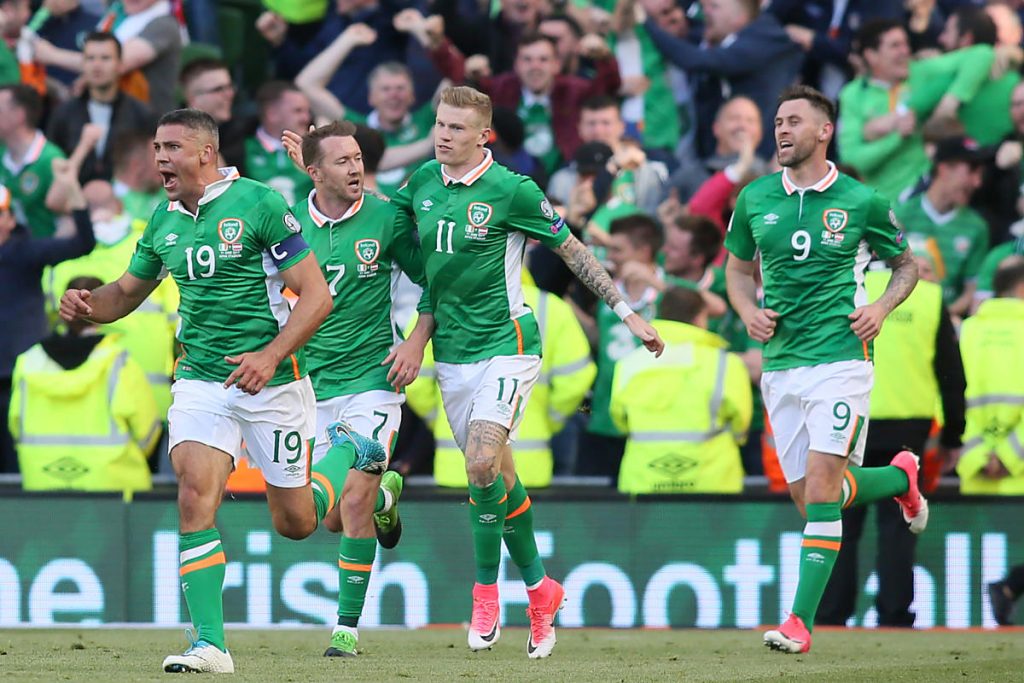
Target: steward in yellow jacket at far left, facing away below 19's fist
[[82, 415]]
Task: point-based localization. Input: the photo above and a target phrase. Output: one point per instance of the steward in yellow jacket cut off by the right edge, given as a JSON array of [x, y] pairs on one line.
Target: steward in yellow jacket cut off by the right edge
[[993, 344]]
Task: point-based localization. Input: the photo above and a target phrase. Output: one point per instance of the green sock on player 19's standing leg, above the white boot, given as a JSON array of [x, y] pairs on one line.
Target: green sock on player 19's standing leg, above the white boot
[[202, 574]]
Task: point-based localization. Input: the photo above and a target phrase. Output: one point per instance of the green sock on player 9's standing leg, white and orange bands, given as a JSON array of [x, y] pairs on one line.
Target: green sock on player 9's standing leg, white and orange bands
[[823, 537]]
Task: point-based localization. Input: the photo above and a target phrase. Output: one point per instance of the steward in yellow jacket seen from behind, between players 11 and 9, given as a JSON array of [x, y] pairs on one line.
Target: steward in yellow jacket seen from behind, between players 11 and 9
[[687, 413]]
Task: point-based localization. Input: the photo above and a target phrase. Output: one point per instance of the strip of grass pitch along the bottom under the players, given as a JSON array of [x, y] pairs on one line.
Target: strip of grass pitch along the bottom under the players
[[441, 655]]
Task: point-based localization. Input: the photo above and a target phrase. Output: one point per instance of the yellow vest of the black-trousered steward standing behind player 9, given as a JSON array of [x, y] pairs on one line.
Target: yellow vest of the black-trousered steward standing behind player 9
[[906, 387]]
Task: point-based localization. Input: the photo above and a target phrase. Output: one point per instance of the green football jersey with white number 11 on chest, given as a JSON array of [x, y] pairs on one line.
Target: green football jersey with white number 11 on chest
[[474, 234]]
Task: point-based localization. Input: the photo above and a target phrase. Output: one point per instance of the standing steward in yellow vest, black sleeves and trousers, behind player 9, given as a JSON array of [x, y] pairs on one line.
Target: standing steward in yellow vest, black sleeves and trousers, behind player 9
[[918, 374]]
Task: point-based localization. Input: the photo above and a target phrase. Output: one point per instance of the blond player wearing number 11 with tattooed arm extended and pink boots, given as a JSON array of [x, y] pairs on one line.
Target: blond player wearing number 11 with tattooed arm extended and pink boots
[[474, 218]]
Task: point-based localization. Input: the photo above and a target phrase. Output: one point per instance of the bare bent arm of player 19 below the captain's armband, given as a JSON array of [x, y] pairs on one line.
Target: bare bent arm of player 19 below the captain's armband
[[255, 369]]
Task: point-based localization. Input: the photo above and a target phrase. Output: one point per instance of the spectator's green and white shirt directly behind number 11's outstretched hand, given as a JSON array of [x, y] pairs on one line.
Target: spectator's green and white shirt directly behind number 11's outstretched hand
[[615, 343]]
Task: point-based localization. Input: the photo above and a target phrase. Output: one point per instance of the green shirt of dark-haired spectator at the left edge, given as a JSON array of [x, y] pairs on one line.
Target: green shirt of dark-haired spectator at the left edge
[[29, 183]]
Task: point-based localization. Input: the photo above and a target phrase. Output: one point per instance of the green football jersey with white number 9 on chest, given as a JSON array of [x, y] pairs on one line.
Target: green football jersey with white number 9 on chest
[[815, 244]]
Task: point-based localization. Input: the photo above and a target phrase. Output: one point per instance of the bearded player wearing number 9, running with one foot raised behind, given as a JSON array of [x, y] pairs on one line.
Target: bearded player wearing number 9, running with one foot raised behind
[[815, 230]]
